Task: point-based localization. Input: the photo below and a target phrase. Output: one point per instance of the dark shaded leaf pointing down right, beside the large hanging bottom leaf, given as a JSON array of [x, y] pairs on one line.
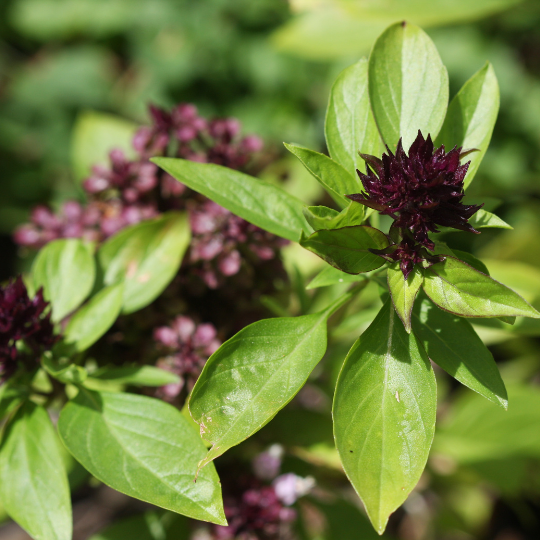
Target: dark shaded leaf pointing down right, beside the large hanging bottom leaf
[[452, 343]]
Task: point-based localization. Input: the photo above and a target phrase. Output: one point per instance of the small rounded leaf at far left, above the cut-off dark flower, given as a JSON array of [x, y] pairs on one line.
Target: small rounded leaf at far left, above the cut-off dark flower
[[66, 271]]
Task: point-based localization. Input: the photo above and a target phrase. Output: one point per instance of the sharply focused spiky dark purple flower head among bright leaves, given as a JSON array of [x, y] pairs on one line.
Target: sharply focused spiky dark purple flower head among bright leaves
[[419, 191]]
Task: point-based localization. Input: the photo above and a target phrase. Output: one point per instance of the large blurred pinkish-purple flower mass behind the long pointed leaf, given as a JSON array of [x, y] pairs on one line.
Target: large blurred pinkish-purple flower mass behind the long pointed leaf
[[130, 191]]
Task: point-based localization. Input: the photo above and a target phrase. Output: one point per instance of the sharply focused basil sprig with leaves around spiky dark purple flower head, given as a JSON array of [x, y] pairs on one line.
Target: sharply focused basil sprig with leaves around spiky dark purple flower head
[[400, 156]]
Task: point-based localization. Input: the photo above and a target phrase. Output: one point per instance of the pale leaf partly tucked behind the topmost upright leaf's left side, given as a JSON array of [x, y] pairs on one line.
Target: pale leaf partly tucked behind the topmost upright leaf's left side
[[350, 127]]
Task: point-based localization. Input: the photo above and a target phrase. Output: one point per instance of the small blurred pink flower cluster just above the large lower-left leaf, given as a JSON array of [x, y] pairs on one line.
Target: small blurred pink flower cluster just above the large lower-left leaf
[[188, 347]]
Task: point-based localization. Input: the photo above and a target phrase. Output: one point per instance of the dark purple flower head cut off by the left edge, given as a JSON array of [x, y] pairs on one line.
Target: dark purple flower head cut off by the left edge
[[22, 318]]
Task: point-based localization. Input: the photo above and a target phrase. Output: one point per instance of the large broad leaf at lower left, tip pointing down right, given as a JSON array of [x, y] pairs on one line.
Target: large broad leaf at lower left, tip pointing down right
[[144, 448]]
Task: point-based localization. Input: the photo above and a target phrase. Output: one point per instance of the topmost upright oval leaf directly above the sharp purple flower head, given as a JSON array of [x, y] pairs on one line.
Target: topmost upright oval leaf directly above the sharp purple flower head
[[408, 85]]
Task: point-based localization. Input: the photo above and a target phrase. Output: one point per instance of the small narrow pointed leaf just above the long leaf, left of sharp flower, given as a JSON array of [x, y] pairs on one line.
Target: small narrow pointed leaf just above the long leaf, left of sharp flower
[[329, 173]]
